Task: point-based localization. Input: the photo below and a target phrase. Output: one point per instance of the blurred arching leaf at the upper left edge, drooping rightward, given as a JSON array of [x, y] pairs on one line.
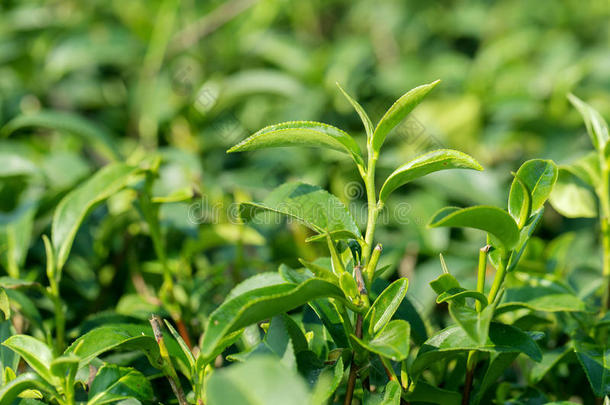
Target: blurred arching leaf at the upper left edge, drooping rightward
[[66, 122]]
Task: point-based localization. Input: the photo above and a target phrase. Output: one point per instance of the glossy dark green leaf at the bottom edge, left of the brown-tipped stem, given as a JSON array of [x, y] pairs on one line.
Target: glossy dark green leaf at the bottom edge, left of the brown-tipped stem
[[113, 383]]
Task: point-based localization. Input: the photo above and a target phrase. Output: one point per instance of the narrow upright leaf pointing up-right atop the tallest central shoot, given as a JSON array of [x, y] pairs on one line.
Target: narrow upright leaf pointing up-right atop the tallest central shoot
[[398, 111]]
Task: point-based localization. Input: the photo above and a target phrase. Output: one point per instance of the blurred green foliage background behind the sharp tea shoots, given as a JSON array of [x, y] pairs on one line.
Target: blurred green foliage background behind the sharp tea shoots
[[189, 79]]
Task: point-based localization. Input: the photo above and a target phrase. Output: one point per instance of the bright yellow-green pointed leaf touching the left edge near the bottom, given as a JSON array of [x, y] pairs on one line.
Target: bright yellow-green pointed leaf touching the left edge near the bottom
[[36, 353]]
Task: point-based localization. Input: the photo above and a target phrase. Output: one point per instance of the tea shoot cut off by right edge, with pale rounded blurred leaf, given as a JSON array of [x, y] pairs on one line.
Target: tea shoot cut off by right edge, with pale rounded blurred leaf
[[583, 190]]
